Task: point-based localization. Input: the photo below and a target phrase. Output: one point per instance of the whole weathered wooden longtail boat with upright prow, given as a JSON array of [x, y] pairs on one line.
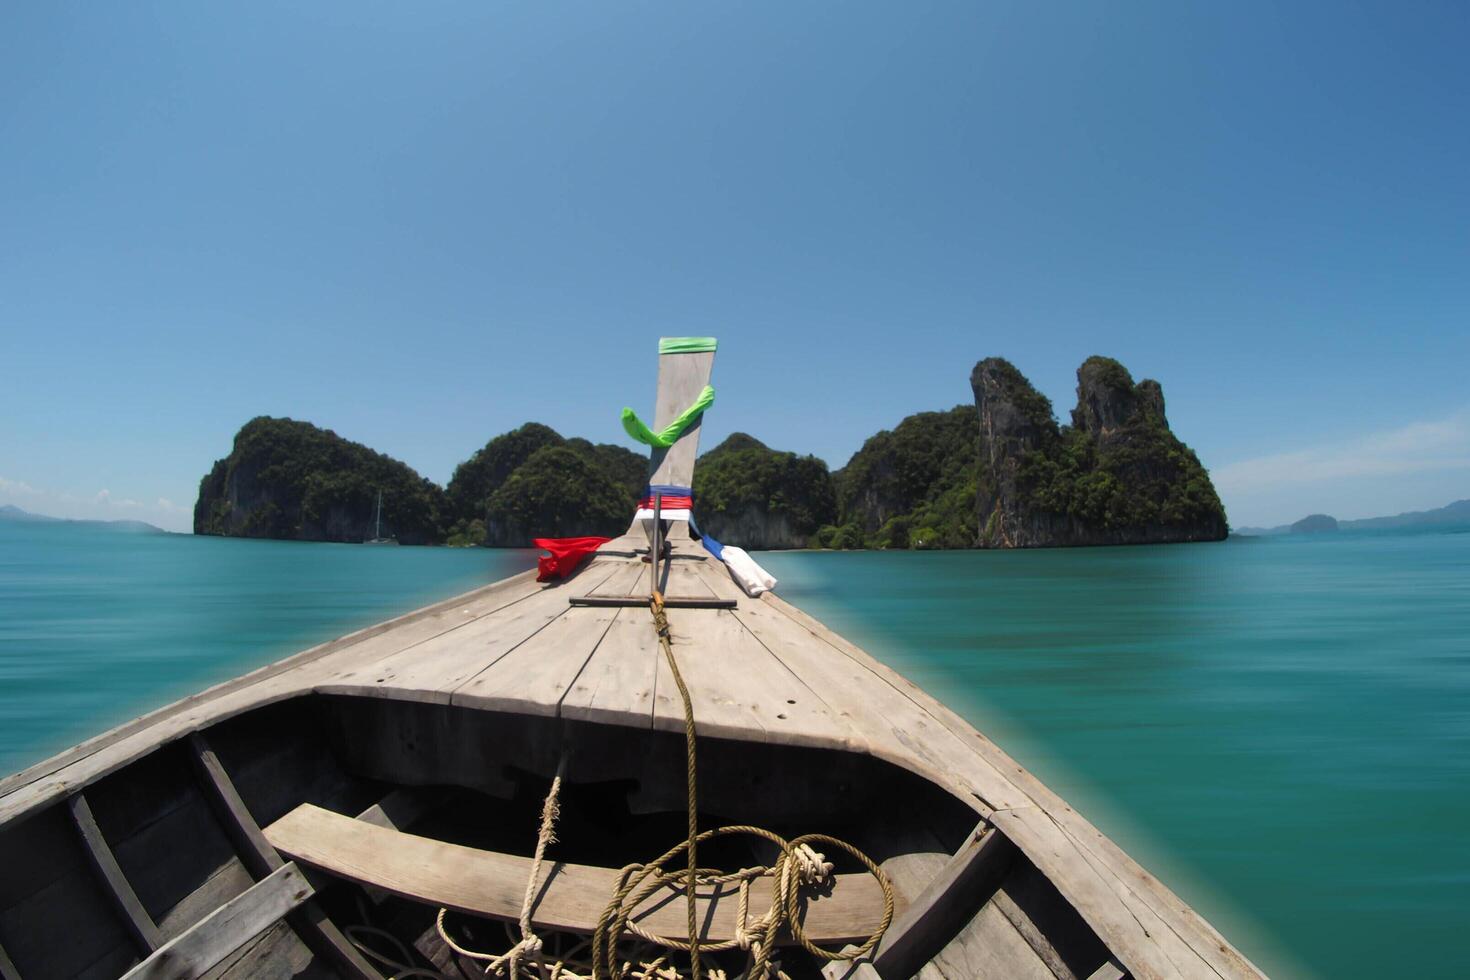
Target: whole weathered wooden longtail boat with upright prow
[[314, 818]]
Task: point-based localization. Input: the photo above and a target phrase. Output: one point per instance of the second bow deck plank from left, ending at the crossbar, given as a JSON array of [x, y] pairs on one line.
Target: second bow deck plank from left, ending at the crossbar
[[534, 677]]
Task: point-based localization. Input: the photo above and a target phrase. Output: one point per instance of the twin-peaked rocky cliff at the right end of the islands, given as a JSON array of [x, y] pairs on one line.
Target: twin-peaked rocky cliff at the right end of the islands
[[1116, 475]]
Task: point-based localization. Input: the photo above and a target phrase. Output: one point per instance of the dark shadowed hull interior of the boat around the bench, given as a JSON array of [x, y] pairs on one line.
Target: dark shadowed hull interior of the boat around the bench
[[478, 779]]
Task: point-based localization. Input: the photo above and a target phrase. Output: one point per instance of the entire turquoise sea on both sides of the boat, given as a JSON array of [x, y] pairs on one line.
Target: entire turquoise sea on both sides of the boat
[[1280, 728]]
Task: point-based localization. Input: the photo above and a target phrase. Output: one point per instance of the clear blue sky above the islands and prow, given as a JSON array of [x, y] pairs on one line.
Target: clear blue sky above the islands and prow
[[423, 226]]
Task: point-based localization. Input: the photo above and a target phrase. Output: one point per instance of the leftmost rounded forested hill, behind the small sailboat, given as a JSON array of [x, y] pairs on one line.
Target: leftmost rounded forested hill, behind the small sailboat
[[292, 480]]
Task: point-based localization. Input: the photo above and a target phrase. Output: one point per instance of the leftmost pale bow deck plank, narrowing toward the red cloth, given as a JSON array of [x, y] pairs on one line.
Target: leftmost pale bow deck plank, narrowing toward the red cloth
[[434, 669]]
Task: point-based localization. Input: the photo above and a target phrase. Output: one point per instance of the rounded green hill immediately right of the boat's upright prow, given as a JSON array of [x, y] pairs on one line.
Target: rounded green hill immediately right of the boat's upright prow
[[750, 496]]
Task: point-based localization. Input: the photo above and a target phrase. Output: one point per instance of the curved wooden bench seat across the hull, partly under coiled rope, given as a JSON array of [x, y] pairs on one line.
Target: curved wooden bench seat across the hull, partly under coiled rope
[[571, 898]]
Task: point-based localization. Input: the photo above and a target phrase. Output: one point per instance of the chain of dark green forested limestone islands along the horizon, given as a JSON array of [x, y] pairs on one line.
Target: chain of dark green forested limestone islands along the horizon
[[996, 474]]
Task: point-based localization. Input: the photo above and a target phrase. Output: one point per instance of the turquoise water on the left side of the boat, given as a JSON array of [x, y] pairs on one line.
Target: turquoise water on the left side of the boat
[[101, 625]]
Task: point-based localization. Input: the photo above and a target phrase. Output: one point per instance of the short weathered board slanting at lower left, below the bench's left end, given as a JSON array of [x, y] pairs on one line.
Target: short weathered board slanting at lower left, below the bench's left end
[[227, 929]]
